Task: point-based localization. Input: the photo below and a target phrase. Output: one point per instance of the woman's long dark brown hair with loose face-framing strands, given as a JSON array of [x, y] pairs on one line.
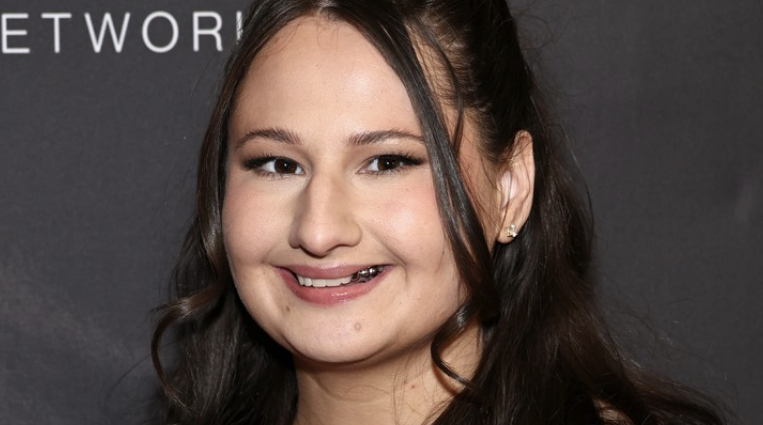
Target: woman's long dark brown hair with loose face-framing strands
[[547, 357]]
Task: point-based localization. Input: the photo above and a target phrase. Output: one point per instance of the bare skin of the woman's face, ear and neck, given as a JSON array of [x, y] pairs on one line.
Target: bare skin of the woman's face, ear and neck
[[318, 199]]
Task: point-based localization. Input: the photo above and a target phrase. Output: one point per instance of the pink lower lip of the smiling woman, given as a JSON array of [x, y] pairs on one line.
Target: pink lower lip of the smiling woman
[[330, 295]]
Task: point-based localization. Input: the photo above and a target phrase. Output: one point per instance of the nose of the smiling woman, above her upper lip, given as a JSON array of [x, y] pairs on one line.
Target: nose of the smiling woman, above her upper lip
[[325, 217]]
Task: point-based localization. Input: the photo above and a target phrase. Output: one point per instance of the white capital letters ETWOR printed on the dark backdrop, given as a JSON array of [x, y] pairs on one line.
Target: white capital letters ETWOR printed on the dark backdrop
[[14, 30]]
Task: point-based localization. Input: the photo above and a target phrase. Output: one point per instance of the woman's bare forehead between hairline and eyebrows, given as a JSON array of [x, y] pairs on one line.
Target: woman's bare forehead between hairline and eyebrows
[[326, 70]]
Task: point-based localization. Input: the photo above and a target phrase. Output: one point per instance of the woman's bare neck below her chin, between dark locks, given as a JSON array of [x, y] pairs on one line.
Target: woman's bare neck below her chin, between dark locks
[[404, 391]]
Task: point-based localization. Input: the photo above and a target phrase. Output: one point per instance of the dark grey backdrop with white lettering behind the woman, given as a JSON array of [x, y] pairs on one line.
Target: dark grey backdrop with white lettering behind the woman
[[102, 109]]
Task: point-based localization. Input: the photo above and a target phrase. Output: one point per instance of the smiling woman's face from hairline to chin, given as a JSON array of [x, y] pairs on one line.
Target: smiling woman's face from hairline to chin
[[327, 176]]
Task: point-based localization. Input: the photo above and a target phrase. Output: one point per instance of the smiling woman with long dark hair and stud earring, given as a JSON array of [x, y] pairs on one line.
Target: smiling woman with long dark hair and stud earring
[[385, 233]]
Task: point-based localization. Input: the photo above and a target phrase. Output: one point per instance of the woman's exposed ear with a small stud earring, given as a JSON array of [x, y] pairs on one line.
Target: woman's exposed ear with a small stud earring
[[516, 186]]
